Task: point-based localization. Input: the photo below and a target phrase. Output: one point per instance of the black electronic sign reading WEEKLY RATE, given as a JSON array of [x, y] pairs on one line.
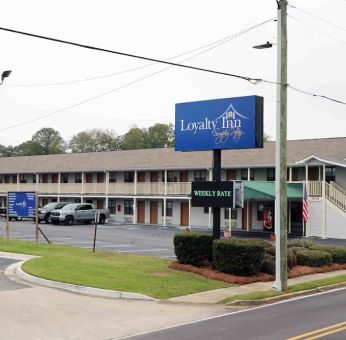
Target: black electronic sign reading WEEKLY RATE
[[212, 194]]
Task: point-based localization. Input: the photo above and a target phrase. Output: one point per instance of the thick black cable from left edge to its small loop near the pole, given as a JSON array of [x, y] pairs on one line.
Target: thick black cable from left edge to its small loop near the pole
[[249, 79]]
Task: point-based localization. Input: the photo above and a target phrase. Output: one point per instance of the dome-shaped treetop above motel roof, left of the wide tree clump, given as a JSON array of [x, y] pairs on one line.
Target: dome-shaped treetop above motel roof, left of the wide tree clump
[[50, 141]]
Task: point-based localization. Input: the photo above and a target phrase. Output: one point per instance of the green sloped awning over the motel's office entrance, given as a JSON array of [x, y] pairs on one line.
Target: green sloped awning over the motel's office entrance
[[260, 190]]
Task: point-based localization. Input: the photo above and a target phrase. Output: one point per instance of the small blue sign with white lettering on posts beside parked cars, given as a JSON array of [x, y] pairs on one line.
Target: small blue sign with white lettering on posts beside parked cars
[[21, 204]]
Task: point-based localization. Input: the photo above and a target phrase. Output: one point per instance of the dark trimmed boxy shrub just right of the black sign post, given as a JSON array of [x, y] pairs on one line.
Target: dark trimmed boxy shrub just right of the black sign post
[[237, 256]]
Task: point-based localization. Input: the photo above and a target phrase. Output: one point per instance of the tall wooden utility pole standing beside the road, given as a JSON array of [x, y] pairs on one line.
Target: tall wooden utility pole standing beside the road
[[281, 151]]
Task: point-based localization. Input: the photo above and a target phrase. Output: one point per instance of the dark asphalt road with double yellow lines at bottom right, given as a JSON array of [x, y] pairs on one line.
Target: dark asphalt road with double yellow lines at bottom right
[[285, 320]]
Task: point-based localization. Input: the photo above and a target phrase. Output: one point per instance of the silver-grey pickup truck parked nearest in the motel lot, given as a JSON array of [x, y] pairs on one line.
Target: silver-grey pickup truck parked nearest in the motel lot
[[78, 212]]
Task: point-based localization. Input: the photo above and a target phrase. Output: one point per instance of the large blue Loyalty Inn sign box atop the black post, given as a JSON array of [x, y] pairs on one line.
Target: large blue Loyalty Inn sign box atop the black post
[[230, 123]]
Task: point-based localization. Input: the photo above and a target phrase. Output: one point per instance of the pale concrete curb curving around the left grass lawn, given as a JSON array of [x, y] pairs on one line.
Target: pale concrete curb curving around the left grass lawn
[[15, 269]]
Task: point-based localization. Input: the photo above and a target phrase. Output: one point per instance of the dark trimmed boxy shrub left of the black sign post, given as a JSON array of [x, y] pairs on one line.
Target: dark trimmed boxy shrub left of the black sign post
[[193, 248]]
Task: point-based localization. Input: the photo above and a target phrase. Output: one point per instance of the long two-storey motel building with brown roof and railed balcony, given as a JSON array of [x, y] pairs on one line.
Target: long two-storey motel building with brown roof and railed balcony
[[153, 186]]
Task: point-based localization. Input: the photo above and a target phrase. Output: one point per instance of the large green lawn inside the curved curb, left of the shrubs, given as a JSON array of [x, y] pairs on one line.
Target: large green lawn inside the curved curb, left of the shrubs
[[124, 272]]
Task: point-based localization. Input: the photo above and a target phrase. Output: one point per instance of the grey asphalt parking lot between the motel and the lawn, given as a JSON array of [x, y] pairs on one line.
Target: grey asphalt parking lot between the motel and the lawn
[[136, 239]]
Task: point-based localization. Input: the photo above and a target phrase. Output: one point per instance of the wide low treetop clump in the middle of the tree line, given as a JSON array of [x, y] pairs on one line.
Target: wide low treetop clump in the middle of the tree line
[[95, 140]]
